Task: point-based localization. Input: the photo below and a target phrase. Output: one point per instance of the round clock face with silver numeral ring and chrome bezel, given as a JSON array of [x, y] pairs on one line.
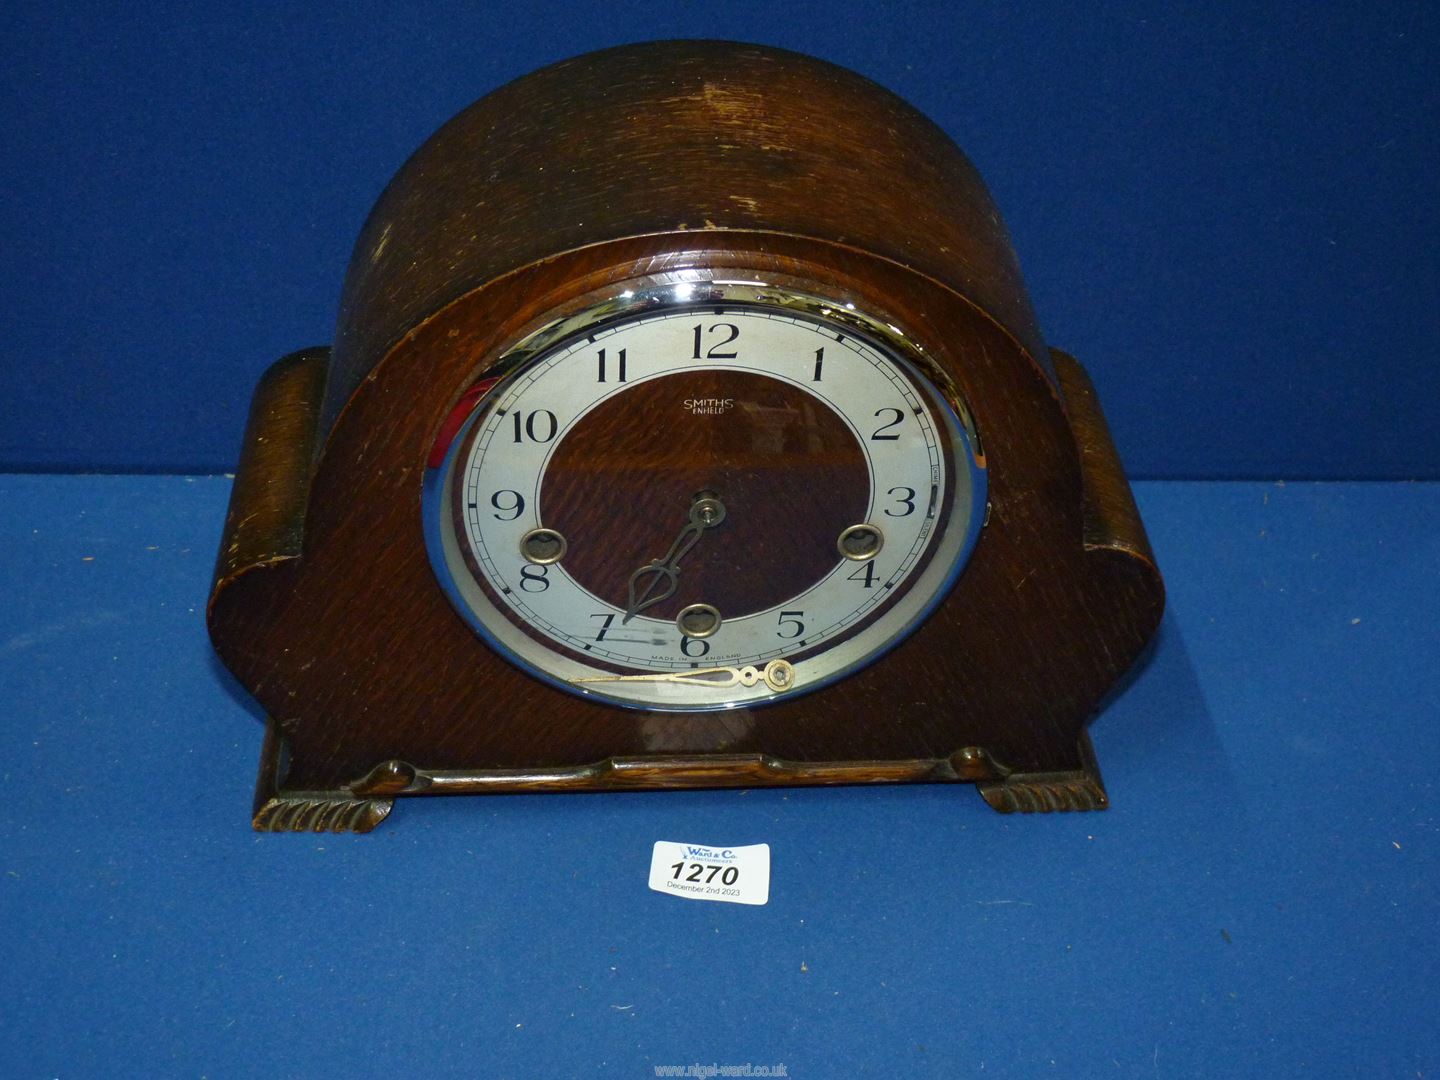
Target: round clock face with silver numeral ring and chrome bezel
[[706, 505]]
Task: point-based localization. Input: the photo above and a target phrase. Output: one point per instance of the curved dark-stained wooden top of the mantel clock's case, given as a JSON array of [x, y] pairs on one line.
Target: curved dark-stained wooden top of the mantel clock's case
[[670, 138]]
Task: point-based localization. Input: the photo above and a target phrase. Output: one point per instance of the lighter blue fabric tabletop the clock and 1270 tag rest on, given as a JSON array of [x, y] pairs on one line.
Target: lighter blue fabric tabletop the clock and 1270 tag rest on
[[1261, 901]]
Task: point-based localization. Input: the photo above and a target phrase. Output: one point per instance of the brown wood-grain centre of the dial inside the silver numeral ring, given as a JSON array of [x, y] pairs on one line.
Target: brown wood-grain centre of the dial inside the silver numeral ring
[[788, 470]]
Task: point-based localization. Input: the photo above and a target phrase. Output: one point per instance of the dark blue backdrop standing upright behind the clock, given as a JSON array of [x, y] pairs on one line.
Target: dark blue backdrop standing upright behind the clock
[[1229, 211]]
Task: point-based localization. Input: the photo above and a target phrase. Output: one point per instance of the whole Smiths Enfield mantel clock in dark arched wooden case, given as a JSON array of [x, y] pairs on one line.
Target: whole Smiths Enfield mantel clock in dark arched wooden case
[[688, 426]]
